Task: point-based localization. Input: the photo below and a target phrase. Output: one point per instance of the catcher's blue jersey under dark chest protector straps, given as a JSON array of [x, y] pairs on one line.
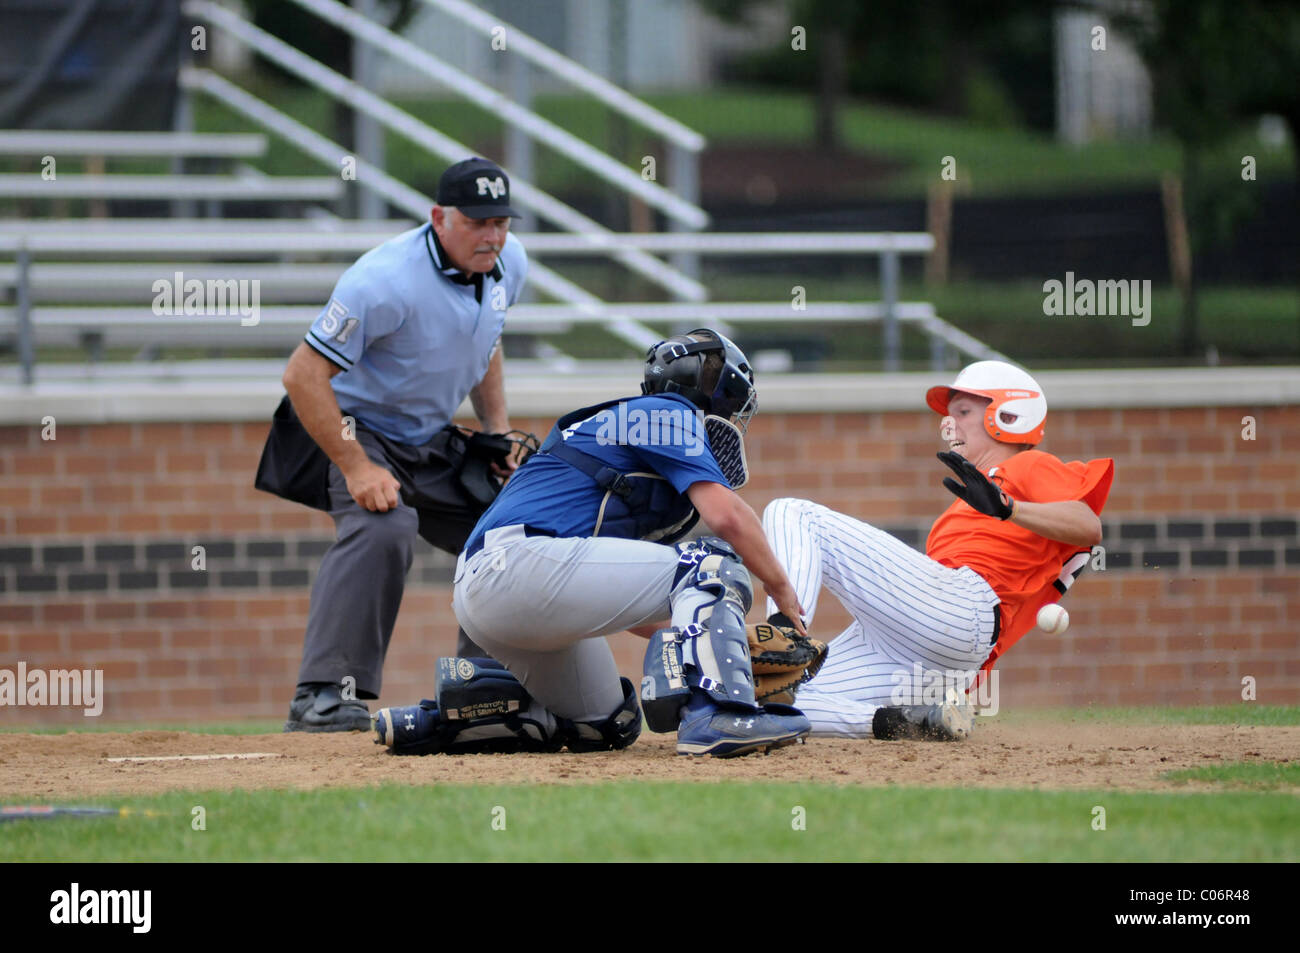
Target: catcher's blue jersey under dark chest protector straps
[[658, 435]]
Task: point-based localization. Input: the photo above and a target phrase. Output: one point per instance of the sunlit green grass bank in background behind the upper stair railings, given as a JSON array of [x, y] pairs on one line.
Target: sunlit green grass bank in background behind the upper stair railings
[[990, 161]]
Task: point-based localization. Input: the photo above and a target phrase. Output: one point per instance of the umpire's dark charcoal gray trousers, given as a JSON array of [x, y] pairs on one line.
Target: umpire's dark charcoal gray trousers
[[358, 590]]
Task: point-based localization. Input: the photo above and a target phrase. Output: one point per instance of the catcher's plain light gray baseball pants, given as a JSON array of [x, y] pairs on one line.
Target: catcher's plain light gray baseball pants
[[543, 607]]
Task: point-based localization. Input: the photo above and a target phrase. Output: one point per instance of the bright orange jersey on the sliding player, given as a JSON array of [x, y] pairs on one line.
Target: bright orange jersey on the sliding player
[[1019, 565]]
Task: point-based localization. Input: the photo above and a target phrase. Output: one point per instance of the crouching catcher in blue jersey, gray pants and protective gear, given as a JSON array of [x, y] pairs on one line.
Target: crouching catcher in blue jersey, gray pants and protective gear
[[580, 545]]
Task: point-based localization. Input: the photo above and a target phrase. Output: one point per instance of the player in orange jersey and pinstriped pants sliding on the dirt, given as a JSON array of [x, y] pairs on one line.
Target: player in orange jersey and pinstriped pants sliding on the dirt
[[1021, 529]]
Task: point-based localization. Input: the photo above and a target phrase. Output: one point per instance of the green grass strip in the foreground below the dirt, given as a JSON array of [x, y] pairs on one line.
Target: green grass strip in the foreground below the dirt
[[673, 822]]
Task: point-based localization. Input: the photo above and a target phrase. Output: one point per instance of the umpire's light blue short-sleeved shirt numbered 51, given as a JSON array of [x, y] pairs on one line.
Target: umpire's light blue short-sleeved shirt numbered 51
[[414, 335]]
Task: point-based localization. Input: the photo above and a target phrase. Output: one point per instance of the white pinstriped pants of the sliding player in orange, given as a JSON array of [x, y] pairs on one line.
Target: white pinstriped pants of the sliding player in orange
[[908, 610]]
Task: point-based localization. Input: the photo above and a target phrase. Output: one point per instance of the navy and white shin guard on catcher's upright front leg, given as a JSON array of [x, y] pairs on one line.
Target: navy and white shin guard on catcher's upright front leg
[[707, 648]]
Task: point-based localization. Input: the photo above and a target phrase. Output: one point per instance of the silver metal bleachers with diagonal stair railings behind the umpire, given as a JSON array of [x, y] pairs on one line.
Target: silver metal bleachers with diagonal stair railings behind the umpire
[[92, 284]]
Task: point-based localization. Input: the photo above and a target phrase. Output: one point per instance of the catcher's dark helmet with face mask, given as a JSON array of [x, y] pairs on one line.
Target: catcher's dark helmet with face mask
[[723, 388]]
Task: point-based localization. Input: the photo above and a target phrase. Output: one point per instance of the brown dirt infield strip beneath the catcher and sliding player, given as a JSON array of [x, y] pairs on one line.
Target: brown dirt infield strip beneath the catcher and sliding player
[[1072, 755]]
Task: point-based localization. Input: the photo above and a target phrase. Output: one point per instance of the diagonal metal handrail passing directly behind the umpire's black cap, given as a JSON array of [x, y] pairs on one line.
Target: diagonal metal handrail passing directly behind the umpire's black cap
[[345, 90]]
